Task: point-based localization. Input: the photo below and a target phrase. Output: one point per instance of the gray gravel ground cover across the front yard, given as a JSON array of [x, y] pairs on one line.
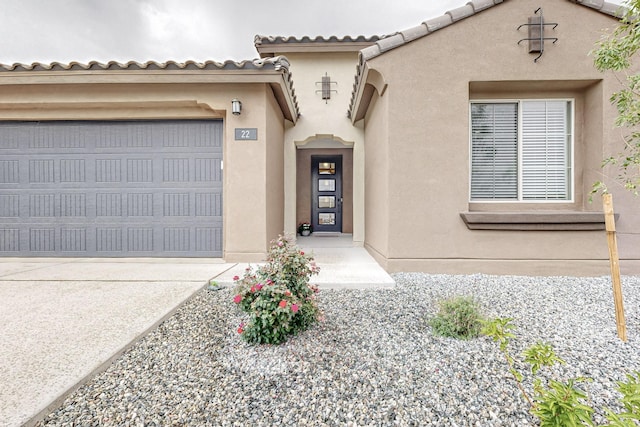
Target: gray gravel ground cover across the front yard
[[372, 361]]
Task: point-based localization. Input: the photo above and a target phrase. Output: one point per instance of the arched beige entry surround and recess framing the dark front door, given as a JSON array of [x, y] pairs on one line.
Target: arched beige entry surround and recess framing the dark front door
[[298, 182]]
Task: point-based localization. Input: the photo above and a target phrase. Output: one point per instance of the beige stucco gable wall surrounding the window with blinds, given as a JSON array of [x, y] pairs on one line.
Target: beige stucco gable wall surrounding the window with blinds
[[430, 83]]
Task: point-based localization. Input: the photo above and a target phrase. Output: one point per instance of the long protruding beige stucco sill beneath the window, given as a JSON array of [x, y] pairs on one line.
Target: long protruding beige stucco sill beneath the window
[[536, 221]]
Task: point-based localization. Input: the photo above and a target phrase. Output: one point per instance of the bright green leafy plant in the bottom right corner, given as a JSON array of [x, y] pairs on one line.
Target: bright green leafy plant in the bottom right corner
[[558, 403]]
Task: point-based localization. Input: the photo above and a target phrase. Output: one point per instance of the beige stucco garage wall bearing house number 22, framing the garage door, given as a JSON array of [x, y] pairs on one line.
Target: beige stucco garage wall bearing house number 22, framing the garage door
[[252, 215]]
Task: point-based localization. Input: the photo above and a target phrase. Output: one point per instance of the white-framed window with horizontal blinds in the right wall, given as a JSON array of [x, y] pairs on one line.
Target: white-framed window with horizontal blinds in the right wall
[[521, 150]]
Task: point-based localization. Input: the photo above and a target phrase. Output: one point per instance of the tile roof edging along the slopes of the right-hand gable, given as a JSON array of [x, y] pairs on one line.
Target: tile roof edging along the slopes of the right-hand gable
[[401, 38]]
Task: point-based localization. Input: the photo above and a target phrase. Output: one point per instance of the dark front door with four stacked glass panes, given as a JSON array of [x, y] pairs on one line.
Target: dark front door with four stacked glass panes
[[326, 193]]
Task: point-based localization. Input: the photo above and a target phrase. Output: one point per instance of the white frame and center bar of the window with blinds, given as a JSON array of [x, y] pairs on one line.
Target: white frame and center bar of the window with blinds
[[519, 101]]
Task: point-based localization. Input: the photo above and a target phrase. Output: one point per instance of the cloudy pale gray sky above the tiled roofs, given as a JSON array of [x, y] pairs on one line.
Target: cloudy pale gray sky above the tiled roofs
[[161, 30]]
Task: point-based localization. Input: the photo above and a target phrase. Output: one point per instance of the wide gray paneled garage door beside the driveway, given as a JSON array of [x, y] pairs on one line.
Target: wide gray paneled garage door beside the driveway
[[111, 189]]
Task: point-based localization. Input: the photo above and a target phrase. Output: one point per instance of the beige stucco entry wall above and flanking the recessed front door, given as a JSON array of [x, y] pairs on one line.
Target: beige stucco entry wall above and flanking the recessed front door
[[324, 124]]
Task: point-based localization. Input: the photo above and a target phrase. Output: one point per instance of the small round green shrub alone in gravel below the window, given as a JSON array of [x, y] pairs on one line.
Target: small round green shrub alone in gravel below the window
[[457, 317]]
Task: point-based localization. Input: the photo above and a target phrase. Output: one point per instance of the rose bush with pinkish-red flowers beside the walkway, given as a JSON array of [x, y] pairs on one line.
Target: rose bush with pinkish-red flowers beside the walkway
[[277, 296]]
